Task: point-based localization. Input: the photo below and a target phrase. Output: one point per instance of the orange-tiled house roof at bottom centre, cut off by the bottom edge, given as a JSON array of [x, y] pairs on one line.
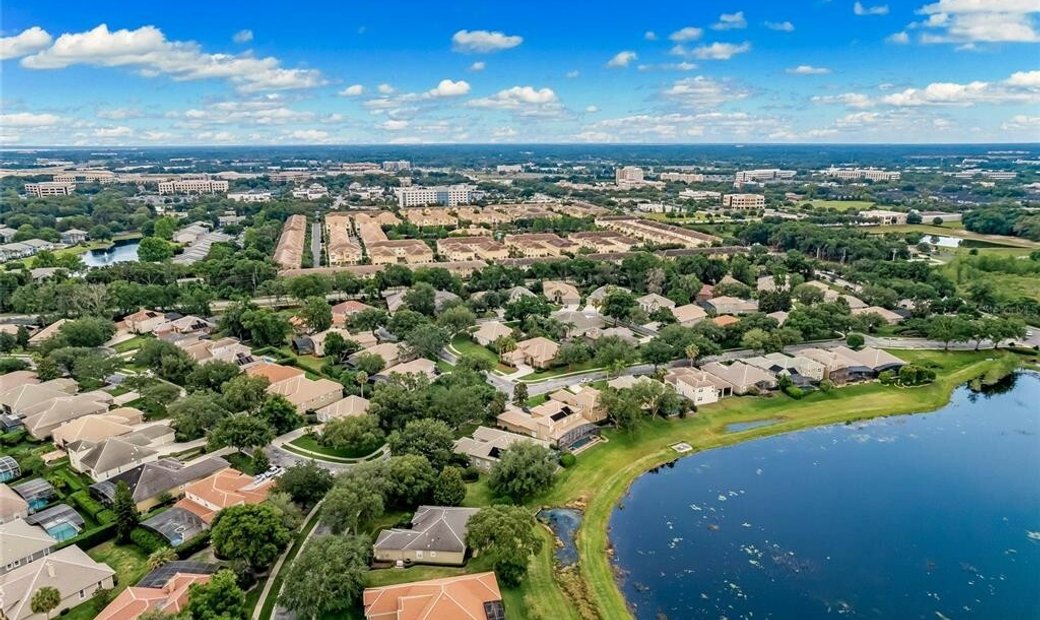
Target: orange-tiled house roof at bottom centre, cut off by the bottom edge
[[476, 597]]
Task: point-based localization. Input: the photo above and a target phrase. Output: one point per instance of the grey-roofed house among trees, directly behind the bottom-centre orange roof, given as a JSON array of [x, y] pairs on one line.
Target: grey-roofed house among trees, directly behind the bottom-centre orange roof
[[437, 536]]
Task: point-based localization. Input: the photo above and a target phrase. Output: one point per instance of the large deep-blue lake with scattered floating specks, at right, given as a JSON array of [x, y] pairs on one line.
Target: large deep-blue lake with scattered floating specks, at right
[[932, 516]]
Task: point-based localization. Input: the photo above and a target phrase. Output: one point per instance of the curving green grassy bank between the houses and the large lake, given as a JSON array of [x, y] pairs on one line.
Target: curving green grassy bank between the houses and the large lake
[[604, 475]]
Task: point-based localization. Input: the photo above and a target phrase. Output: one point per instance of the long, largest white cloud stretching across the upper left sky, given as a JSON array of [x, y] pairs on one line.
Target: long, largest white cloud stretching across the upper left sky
[[149, 50]]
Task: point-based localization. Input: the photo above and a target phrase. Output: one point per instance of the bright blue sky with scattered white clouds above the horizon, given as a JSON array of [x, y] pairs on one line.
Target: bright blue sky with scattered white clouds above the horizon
[[193, 73]]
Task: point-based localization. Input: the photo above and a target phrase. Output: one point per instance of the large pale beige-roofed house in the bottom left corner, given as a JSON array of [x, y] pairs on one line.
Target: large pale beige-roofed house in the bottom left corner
[[71, 572]]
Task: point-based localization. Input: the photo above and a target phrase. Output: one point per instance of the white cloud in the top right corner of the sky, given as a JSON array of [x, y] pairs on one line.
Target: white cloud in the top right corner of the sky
[[979, 21]]
